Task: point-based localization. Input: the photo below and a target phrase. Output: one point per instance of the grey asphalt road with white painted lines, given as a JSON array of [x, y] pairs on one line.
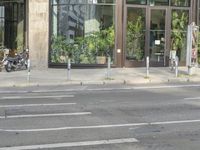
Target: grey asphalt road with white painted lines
[[156, 117]]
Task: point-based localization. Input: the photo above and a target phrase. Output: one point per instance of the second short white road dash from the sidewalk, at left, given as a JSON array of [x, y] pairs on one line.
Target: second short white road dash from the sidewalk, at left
[[36, 105]]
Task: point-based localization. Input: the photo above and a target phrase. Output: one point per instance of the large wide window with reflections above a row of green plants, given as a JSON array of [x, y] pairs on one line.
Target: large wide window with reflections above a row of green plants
[[83, 32]]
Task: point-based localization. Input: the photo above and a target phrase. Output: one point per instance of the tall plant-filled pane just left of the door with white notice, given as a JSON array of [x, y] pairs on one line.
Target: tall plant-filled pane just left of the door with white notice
[[135, 34]]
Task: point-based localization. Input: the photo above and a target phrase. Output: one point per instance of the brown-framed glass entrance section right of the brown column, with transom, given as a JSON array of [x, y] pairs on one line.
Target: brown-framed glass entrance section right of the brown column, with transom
[[154, 28]]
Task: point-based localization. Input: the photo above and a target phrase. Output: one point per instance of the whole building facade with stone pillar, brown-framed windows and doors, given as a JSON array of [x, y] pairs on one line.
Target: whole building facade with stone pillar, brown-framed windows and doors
[[90, 31]]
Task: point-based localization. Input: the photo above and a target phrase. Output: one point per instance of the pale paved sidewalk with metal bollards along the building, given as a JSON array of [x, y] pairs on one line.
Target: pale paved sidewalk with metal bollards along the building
[[96, 76]]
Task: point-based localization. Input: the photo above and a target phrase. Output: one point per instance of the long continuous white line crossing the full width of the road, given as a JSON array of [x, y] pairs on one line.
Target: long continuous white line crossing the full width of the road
[[101, 126]]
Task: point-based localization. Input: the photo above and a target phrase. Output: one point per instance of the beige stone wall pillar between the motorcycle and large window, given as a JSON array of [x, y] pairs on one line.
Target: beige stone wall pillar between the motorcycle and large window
[[38, 27]]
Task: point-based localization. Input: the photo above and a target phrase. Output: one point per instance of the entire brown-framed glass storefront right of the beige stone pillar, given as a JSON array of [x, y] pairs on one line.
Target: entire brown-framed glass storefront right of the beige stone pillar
[[127, 31]]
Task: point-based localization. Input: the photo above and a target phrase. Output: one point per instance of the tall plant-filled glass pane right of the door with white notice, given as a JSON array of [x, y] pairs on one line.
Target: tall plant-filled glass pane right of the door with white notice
[[180, 19]]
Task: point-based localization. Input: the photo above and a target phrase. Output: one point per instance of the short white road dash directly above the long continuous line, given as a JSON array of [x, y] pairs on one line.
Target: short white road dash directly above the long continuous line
[[46, 115]]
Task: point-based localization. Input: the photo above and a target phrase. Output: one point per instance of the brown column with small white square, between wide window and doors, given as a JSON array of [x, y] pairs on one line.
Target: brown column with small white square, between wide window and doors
[[119, 34]]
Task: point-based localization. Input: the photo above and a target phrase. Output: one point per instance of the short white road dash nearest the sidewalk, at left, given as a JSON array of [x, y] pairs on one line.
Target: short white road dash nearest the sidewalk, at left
[[37, 97]]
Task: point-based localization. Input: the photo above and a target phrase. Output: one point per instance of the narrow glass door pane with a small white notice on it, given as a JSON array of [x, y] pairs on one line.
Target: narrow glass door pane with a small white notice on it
[[157, 37]]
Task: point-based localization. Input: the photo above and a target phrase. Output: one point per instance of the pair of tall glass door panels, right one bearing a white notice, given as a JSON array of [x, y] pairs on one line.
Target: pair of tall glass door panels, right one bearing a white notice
[[145, 35]]
